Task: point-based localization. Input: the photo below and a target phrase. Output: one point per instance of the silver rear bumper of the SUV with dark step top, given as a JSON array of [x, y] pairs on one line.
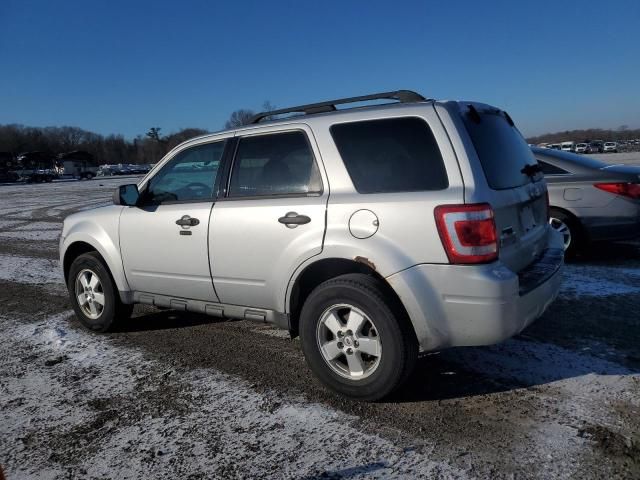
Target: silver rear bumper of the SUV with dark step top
[[456, 305]]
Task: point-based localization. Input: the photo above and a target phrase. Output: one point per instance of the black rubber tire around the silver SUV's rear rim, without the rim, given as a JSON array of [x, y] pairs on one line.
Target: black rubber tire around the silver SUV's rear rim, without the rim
[[399, 347]]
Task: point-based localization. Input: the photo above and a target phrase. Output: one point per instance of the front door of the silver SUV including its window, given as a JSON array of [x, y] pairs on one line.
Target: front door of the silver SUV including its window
[[164, 240]]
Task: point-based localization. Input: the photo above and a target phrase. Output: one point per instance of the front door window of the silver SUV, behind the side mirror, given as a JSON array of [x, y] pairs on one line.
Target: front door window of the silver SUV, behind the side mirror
[[190, 176]]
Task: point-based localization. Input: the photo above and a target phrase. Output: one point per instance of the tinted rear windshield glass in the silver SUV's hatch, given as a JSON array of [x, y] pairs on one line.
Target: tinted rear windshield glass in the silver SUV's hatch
[[502, 150]]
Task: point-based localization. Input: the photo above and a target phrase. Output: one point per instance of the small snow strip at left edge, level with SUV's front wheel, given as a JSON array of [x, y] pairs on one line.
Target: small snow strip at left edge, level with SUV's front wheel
[[30, 270]]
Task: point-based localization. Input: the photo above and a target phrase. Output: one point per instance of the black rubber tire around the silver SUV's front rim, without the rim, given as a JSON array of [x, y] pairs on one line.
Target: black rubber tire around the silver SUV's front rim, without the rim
[[113, 310]]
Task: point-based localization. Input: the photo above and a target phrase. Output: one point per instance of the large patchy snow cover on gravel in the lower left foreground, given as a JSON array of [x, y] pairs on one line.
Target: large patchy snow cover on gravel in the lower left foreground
[[239, 432]]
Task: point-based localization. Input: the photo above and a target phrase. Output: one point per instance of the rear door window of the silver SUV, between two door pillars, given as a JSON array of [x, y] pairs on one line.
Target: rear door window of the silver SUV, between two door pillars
[[274, 164]]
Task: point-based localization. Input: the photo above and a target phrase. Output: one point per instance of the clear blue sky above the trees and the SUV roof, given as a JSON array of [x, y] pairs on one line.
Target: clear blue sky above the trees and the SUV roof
[[114, 66]]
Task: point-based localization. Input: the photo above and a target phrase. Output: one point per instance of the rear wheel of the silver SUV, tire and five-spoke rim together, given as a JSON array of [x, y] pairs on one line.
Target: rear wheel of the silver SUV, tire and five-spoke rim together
[[355, 339]]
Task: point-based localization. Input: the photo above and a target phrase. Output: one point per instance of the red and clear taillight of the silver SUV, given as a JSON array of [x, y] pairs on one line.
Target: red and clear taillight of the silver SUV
[[468, 232]]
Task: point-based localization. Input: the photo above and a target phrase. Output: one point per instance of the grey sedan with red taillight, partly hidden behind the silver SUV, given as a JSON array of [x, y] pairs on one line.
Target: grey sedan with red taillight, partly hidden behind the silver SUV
[[590, 201]]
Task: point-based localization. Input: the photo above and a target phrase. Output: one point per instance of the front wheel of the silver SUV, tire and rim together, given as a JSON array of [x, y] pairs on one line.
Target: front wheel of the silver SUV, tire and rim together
[[94, 295]]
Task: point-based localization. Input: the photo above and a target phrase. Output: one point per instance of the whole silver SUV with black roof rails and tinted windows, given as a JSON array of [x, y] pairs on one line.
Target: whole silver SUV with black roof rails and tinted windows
[[374, 233]]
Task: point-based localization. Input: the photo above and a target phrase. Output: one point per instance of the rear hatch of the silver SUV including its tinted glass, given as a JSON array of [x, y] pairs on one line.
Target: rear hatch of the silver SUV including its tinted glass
[[517, 191]]
